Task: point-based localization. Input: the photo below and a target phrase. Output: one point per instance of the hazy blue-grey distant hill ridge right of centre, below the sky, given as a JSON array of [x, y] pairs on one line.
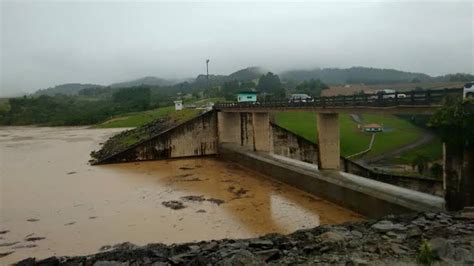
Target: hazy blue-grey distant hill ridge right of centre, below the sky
[[356, 75]]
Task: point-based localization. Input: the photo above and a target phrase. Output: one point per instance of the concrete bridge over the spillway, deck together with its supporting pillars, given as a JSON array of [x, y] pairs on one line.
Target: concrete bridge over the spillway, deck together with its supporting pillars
[[233, 116]]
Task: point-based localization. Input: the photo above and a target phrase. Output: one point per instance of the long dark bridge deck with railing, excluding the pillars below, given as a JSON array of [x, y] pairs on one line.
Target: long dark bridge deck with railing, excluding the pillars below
[[409, 98]]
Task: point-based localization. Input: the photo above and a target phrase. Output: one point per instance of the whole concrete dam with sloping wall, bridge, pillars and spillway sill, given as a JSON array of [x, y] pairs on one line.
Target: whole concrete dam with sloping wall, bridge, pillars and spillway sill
[[243, 133]]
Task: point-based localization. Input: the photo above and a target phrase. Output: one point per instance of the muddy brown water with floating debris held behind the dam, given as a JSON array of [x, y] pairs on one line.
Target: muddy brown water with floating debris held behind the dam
[[53, 202]]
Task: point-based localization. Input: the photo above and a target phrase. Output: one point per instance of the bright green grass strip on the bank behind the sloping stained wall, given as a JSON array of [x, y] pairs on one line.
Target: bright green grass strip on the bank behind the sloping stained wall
[[140, 118]]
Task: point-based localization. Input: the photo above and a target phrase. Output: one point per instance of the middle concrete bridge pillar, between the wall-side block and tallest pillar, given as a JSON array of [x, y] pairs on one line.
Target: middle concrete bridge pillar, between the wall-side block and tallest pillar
[[261, 132]]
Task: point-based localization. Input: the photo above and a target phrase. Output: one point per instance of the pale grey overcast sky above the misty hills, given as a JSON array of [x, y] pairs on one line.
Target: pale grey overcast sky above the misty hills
[[48, 43]]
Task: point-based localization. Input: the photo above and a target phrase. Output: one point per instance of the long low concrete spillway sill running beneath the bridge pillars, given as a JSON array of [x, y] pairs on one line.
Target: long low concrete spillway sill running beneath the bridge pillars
[[368, 197]]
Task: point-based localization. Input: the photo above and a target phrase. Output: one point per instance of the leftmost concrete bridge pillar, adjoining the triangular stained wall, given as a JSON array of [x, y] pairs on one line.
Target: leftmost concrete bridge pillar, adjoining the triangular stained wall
[[228, 127]]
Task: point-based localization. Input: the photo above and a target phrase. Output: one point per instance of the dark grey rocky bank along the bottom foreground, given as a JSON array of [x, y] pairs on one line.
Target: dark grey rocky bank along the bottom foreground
[[444, 238]]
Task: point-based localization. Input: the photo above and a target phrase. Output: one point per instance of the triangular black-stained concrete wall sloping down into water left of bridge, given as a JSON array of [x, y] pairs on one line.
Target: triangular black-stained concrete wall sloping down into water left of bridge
[[196, 137]]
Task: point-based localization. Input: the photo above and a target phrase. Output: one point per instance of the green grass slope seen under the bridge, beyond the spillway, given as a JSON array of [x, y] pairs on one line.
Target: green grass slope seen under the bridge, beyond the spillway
[[352, 139]]
